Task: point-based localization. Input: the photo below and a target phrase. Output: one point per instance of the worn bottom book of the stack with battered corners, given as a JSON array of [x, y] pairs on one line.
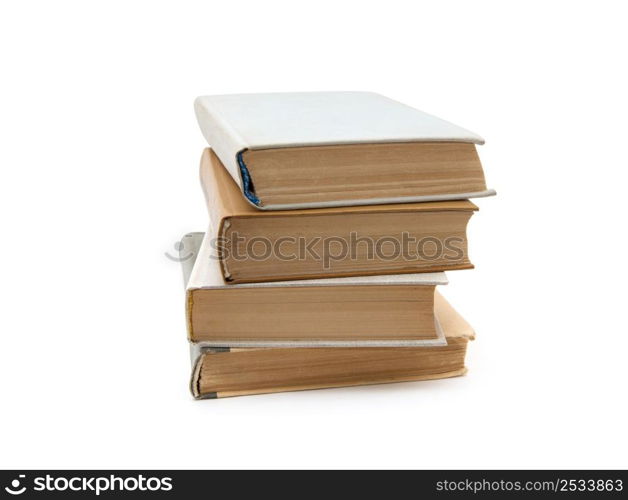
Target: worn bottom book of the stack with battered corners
[[220, 371]]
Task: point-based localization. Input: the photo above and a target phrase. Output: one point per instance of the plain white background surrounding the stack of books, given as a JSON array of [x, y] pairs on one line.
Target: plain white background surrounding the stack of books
[[99, 163]]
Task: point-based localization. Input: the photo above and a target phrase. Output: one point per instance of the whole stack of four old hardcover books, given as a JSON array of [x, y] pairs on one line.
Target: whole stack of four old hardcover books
[[333, 216]]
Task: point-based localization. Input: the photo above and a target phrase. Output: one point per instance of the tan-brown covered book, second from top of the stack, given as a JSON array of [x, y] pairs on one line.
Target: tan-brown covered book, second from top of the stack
[[254, 245]]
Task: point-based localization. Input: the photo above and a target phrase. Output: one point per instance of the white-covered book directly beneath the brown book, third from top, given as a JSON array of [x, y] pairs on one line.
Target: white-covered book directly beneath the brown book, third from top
[[365, 311]]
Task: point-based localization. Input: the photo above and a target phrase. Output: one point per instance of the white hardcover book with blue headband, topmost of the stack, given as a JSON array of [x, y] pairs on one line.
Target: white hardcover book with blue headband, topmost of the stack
[[327, 149]]
